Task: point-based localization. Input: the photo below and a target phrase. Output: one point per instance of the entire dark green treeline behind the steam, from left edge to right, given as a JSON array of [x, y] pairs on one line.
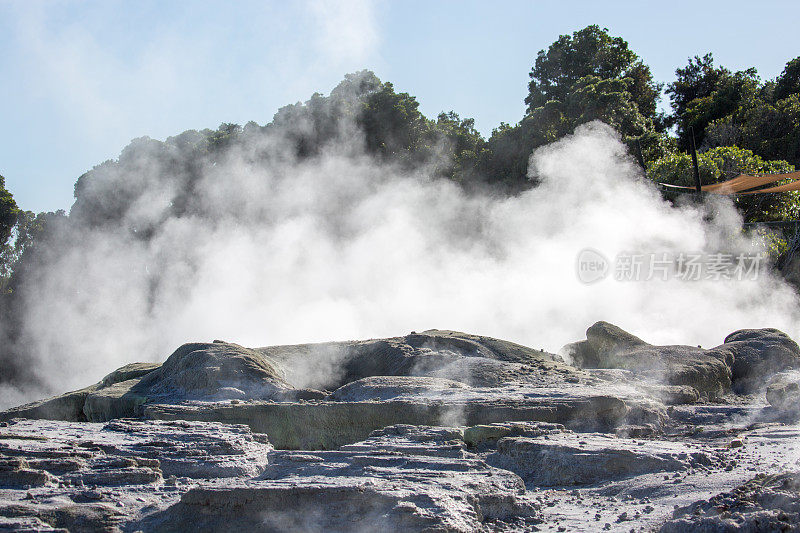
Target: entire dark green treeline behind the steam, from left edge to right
[[737, 120]]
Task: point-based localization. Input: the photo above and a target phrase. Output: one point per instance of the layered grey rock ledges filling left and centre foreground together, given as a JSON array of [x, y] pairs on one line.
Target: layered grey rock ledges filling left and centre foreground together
[[160, 476]]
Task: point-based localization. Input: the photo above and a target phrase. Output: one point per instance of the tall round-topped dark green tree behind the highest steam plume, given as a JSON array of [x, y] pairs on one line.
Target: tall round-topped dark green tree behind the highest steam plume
[[587, 76]]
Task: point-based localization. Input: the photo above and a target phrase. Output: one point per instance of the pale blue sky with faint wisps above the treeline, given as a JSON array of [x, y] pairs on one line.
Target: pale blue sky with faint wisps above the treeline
[[80, 79]]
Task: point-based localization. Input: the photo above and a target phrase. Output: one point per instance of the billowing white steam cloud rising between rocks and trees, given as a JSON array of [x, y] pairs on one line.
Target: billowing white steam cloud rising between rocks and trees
[[342, 247]]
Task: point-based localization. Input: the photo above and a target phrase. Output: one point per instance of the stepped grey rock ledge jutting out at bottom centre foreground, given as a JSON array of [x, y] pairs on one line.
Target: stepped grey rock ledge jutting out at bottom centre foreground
[[398, 480]]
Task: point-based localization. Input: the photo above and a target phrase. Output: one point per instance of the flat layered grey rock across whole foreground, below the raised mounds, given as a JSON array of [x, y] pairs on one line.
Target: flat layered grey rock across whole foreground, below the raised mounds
[[401, 478]]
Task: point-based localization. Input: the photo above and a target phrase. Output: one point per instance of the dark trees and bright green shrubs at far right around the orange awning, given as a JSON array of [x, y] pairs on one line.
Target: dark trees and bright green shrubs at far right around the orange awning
[[740, 124]]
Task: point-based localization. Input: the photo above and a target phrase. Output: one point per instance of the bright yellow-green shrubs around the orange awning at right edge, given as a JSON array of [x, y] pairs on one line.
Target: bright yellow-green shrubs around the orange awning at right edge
[[725, 162]]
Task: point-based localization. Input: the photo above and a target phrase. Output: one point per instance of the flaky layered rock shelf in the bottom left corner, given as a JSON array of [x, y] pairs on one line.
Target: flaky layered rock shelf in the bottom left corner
[[99, 477]]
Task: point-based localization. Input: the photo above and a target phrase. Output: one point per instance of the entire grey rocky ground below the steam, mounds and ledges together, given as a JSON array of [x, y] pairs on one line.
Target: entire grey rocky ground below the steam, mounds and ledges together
[[431, 431]]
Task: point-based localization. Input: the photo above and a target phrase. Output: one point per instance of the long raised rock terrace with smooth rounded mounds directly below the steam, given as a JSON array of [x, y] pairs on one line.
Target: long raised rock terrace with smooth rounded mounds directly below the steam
[[432, 378]]
